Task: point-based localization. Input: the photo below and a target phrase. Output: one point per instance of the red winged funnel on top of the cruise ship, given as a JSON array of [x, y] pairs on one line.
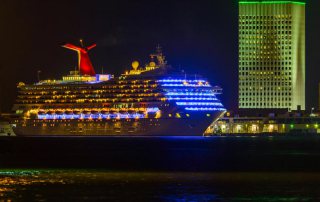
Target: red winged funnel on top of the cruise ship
[[84, 62]]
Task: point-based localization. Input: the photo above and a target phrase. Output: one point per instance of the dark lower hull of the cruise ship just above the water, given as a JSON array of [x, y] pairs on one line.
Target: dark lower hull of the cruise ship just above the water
[[125, 127]]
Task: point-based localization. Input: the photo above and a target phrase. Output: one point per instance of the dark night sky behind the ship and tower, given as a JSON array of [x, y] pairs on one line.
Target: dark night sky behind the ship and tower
[[199, 36]]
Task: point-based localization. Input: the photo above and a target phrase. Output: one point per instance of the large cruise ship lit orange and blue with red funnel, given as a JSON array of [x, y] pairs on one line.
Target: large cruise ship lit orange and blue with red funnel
[[153, 100]]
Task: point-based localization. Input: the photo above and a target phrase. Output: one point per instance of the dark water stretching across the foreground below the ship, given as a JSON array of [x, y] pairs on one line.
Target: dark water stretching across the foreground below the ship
[[160, 169]]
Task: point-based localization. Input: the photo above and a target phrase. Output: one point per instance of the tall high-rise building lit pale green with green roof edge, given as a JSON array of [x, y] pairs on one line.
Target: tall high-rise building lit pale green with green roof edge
[[272, 54]]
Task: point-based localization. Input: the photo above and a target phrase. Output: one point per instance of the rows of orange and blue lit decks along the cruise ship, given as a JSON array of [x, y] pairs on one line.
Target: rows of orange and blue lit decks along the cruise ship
[[125, 99]]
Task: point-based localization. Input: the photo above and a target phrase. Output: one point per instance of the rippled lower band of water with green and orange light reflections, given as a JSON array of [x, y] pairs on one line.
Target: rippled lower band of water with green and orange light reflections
[[80, 185]]
